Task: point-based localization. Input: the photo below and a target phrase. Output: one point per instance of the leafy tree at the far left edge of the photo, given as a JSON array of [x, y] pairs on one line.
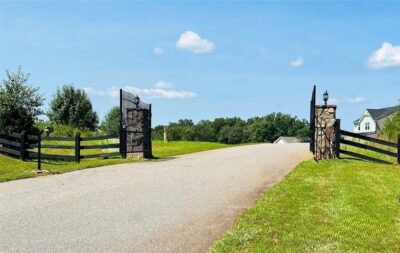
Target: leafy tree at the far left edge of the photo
[[20, 103]]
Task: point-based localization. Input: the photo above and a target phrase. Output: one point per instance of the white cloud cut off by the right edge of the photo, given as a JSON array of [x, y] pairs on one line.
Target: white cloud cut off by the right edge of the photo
[[385, 57]]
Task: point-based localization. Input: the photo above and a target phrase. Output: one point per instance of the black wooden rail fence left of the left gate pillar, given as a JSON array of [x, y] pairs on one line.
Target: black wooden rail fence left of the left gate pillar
[[31, 146]]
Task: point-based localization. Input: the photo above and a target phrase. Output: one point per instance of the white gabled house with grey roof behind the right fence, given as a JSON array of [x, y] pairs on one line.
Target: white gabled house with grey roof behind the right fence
[[372, 120]]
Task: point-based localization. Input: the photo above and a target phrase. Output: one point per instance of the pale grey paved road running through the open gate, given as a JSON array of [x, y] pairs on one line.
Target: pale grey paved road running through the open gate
[[179, 205]]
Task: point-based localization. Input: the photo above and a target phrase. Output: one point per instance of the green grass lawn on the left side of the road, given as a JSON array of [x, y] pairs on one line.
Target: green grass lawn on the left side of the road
[[11, 168]]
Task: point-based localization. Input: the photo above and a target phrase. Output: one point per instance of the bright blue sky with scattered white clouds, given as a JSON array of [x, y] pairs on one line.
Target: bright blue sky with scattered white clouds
[[202, 60]]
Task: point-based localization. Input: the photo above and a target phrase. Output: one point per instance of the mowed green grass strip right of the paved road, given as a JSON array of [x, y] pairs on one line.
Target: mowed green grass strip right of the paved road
[[328, 206]]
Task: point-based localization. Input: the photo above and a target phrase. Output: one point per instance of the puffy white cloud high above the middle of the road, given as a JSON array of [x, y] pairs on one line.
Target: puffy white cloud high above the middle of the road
[[192, 42]]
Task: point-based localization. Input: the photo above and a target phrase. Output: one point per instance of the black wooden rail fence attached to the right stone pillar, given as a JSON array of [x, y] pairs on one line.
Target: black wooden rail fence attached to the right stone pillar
[[349, 138]]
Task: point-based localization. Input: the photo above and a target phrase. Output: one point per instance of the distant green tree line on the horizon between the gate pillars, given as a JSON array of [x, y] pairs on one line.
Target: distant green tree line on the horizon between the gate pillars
[[236, 130]]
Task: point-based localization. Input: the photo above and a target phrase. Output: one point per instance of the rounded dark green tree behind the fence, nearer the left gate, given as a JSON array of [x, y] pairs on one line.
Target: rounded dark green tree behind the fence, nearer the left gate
[[72, 107]]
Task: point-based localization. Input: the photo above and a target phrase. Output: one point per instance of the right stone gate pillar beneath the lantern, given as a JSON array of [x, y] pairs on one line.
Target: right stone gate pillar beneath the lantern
[[325, 118]]
